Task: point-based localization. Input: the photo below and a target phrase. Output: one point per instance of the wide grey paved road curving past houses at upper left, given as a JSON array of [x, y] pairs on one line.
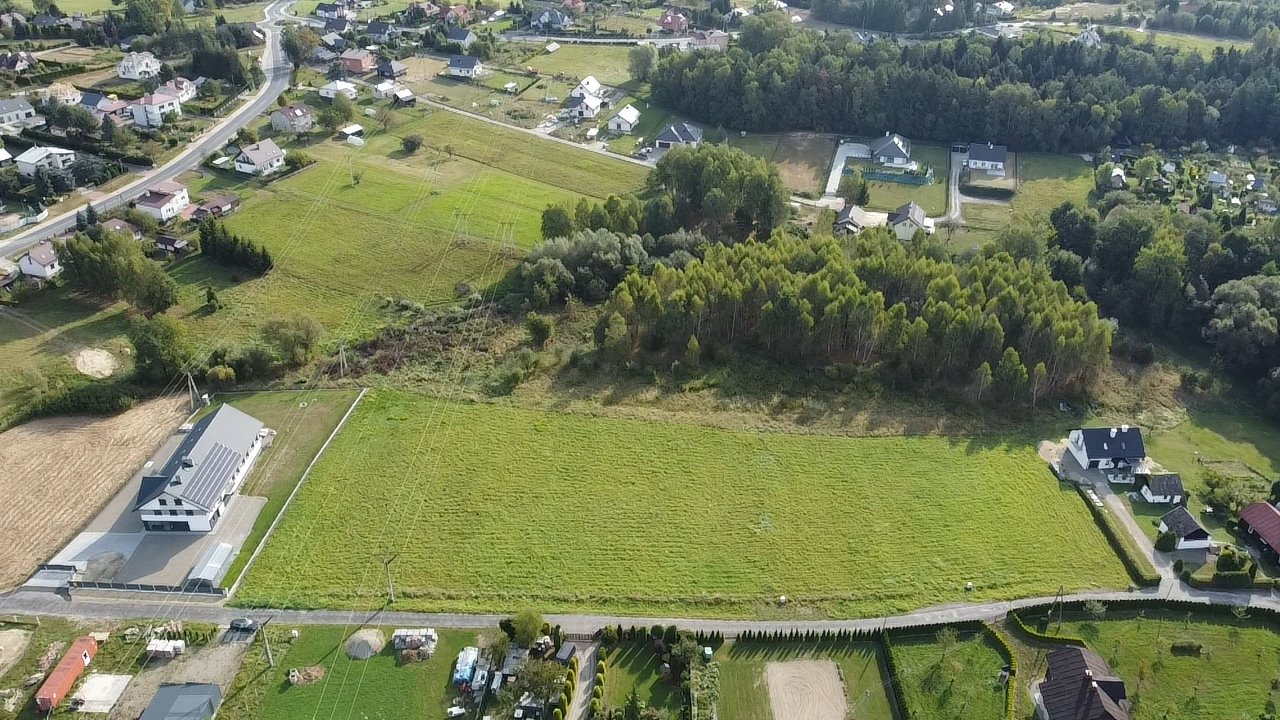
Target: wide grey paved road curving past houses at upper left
[[276, 69]]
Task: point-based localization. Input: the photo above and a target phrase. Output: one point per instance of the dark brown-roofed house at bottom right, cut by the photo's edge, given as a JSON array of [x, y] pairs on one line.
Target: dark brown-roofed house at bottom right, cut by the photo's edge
[[1081, 686]]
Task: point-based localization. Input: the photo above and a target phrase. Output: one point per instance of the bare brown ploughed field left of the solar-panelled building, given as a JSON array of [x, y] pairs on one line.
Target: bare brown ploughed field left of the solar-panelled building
[[62, 471]]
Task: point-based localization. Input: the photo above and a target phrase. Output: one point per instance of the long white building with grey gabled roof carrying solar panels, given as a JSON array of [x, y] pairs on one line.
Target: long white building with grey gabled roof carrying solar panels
[[191, 491]]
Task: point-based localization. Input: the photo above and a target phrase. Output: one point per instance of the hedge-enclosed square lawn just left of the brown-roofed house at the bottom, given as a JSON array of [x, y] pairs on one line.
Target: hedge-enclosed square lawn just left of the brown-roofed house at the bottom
[[944, 683]]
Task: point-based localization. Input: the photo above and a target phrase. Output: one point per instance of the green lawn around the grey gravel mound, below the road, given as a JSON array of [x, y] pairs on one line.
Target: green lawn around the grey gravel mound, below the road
[[369, 690]]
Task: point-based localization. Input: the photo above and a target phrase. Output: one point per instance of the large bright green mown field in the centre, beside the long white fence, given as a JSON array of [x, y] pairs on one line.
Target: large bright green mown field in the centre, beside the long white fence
[[844, 527]]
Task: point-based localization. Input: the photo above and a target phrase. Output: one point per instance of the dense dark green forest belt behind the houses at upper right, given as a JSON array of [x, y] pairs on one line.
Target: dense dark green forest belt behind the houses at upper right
[[1032, 94]]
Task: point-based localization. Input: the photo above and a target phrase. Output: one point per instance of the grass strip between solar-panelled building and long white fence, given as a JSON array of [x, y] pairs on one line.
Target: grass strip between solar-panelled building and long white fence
[[300, 435]]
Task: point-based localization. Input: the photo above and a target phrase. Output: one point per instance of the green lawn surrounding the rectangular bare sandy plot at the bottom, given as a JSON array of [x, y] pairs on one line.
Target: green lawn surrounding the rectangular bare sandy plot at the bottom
[[746, 695]]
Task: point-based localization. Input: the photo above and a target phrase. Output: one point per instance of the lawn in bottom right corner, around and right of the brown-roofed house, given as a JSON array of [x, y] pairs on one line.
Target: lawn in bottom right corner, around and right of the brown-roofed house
[[1232, 677]]
